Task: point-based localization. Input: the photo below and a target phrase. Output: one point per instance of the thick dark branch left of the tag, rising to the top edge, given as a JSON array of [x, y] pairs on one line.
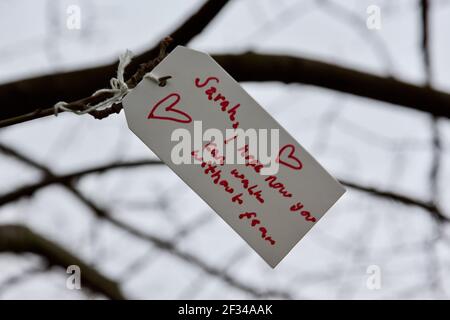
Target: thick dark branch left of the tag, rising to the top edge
[[34, 98]]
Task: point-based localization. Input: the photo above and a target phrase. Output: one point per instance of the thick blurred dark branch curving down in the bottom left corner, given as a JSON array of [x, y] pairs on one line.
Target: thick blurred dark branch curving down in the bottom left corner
[[20, 239]]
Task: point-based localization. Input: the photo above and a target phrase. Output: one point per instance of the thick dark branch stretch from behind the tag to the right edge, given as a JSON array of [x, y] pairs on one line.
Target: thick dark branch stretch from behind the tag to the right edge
[[288, 69]]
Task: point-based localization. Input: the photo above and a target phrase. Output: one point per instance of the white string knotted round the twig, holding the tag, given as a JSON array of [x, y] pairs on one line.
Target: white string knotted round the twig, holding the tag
[[118, 88]]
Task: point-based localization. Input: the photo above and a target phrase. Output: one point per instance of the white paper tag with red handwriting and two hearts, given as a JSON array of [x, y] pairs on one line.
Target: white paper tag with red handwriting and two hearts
[[273, 203]]
